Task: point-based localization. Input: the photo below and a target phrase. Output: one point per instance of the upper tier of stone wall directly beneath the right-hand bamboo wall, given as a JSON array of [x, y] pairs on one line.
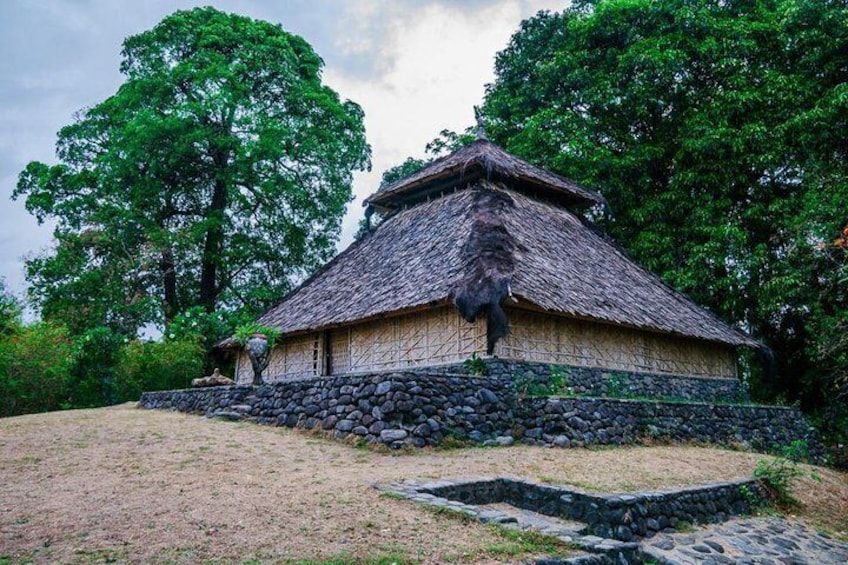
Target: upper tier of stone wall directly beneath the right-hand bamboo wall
[[601, 382]]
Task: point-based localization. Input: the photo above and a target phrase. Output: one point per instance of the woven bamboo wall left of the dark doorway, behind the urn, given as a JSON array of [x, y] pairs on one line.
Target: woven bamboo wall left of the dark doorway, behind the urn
[[294, 358]]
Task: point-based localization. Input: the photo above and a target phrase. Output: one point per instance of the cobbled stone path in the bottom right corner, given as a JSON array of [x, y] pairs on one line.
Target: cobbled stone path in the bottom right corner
[[754, 541]]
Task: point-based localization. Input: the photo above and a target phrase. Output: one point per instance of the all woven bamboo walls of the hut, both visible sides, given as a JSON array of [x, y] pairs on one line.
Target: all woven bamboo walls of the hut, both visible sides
[[442, 336]]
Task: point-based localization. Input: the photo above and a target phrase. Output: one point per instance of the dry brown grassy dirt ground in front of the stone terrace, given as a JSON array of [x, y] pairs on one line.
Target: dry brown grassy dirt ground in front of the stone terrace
[[132, 486]]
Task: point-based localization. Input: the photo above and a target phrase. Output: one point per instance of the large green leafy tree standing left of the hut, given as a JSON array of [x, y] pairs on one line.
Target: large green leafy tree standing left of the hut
[[216, 176]]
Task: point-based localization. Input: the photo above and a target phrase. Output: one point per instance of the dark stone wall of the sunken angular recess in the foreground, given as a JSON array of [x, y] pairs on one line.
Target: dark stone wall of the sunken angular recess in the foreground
[[619, 516]]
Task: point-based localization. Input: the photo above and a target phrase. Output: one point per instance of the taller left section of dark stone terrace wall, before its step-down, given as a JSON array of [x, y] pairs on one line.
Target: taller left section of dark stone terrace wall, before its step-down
[[395, 409]]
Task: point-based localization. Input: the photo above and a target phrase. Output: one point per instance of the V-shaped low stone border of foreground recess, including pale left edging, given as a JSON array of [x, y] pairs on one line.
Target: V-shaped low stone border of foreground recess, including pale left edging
[[615, 523]]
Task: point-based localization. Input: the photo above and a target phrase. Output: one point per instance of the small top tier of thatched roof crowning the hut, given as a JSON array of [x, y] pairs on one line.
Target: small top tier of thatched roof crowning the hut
[[481, 159]]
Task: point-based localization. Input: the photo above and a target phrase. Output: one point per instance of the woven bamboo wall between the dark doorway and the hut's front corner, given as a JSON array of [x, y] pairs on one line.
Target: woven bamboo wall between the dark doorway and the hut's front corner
[[413, 340]]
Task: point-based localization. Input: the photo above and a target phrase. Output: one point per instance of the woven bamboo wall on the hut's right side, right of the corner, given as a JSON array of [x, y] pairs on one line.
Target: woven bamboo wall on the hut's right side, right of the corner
[[539, 337]]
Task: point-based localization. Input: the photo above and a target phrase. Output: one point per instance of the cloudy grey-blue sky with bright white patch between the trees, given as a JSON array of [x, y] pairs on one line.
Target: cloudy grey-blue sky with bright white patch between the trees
[[415, 67]]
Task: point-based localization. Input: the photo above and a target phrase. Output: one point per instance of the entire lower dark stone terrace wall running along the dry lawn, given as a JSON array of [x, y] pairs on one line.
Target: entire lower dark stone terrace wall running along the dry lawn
[[413, 408]]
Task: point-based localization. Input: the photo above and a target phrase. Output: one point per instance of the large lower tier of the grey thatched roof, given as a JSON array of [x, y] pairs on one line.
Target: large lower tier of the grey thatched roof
[[420, 257]]
